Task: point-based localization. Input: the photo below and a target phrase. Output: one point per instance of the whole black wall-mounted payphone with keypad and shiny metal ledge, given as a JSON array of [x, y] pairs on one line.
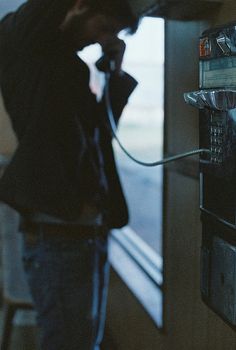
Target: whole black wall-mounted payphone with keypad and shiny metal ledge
[[216, 101]]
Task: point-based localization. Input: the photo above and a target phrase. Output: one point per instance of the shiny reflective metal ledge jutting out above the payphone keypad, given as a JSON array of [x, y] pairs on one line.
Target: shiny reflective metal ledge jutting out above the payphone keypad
[[220, 99]]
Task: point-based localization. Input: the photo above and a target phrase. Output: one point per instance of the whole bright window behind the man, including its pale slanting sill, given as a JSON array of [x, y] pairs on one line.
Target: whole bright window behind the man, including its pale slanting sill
[[136, 252]]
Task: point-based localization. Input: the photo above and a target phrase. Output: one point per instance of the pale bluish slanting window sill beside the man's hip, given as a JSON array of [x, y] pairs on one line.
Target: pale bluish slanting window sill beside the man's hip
[[141, 270]]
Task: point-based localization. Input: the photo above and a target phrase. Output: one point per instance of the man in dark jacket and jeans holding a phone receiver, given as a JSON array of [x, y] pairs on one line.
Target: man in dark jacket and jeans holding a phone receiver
[[62, 178]]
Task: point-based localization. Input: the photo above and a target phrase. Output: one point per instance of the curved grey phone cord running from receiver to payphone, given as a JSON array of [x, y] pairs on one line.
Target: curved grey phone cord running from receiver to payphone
[[113, 130]]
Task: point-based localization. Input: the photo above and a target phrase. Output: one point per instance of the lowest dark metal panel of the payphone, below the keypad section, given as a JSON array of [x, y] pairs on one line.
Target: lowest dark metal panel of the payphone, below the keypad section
[[218, 269]]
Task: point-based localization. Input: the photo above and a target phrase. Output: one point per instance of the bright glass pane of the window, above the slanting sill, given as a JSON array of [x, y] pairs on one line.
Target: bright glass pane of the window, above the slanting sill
[[141, 131]]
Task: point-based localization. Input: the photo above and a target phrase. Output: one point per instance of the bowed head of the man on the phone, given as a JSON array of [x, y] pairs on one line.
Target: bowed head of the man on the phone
[[93, 21]]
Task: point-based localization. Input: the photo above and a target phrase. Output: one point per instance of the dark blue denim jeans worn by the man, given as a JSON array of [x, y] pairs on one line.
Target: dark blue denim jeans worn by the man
[[68, 280]]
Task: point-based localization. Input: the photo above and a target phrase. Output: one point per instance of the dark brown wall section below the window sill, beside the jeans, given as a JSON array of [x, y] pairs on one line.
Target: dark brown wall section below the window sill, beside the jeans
[[128, 327]]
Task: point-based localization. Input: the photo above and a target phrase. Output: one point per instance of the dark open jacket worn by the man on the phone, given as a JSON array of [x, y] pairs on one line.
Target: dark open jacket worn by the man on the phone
[[46, 92]]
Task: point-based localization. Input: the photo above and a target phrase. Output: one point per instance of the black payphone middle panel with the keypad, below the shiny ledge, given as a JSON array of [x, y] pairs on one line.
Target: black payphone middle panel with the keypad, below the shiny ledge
[[218, 170]]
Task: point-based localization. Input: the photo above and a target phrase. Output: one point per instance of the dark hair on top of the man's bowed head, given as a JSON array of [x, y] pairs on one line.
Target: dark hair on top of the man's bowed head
[[118, 9]]
